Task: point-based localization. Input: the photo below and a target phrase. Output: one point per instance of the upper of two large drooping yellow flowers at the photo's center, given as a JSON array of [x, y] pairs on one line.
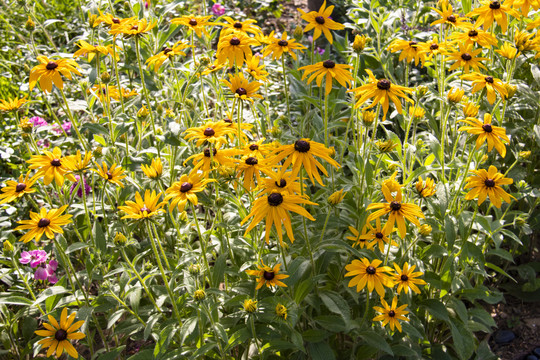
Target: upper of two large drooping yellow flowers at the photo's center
[[302, 153]]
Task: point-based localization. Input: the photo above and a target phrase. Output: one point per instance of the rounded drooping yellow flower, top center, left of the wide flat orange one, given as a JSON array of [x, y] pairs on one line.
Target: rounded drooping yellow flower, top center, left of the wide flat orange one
[[235, 48]]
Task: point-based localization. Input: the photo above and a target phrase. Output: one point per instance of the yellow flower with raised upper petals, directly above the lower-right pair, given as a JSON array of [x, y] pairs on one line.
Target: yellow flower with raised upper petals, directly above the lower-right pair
[[398, 211]]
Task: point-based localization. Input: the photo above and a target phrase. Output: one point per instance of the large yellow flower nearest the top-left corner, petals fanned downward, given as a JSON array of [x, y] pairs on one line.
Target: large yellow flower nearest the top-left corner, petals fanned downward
[[48, 72]]
